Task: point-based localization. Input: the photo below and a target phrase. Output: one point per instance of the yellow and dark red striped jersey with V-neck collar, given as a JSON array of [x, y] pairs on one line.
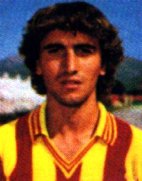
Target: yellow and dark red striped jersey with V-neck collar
[[114, 153]]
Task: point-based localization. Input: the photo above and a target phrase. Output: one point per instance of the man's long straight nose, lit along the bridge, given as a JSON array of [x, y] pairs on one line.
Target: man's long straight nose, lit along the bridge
[[71, 62]]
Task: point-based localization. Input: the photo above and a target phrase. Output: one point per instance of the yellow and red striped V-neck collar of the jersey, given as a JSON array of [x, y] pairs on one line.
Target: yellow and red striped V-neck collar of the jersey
[[106, 131]]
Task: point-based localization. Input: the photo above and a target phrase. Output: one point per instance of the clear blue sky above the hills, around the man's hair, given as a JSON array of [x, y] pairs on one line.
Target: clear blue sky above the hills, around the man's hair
[[126, 15]]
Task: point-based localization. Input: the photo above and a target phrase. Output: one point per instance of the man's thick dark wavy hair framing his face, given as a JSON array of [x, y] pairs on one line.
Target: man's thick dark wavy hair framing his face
[[73, 16]]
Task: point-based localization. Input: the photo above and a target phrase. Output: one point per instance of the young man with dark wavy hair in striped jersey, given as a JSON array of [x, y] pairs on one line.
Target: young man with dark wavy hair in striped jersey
[[72, 52]]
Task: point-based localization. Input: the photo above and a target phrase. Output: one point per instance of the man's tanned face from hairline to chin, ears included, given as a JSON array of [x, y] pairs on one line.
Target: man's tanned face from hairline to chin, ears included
[[70, 65]]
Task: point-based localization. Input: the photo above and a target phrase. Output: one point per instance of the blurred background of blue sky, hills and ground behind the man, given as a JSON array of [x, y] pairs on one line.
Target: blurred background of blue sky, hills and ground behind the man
[[16, 95]]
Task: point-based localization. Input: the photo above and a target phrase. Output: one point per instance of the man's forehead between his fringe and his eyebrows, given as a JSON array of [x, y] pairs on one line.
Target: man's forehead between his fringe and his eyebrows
[[68, 37]]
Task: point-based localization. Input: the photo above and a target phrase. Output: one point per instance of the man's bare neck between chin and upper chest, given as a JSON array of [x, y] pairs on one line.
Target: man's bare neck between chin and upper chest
[[76, 121]]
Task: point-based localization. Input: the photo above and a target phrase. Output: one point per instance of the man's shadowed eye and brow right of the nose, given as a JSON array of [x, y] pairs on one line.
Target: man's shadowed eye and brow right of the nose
[[85, 49]]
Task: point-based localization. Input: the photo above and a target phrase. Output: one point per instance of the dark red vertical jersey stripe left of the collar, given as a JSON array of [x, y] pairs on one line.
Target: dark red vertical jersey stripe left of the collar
[[23, 168]]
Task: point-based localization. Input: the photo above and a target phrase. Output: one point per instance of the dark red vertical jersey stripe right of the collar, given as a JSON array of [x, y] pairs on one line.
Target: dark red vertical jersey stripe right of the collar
[[116, 154]]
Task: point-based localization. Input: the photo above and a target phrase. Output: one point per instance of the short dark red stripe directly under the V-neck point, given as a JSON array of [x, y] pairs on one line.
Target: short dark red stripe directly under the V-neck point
[[75, 176]]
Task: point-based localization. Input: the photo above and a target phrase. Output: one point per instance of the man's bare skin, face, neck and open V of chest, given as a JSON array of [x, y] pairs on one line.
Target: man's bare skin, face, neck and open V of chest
[[70, 65]]
